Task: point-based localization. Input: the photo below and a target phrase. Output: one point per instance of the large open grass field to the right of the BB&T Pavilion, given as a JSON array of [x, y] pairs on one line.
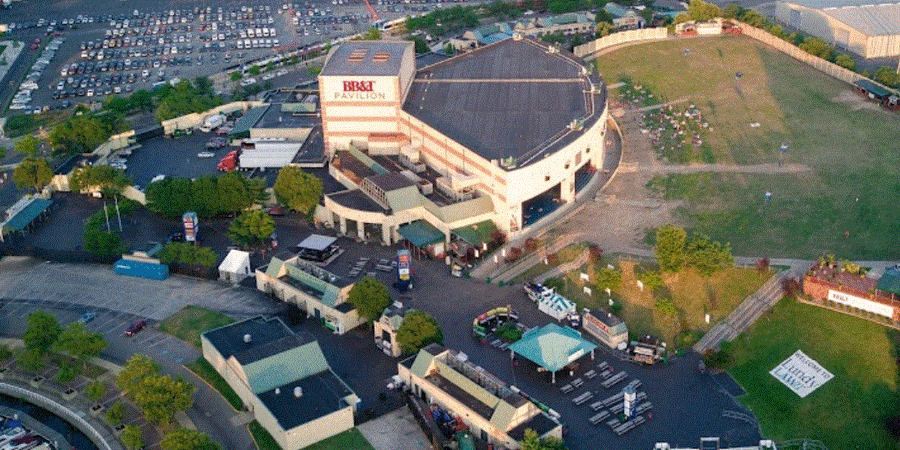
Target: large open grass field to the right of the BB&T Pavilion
[[853, 152]]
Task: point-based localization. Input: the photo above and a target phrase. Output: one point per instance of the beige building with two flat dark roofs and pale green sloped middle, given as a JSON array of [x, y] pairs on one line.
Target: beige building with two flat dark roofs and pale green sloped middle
[[283, 379]]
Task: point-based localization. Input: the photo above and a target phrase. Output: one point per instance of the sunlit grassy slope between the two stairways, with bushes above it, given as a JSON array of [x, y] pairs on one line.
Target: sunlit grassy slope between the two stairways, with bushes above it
[[692, 295]]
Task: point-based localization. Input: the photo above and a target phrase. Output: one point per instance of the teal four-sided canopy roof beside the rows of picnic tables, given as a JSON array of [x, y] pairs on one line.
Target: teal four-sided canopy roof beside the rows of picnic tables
[[552, 346]]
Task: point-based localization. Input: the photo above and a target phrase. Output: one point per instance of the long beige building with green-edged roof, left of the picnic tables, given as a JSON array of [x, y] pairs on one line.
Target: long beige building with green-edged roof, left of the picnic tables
[[492, 410]]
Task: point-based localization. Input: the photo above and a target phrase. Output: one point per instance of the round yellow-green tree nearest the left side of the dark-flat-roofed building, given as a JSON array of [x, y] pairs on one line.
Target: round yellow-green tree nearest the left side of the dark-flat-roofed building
[[161, 396]]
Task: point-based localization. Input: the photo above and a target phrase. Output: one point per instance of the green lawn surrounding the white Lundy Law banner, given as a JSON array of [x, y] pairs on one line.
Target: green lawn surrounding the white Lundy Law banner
[[848, 412]]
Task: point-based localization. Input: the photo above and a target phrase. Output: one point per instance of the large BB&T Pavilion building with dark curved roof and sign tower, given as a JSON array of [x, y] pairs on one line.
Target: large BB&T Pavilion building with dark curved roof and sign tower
[[505, 133]]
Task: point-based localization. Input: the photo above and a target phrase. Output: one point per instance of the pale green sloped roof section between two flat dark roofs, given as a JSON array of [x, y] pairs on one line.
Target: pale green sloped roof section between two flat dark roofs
[[285, 367]]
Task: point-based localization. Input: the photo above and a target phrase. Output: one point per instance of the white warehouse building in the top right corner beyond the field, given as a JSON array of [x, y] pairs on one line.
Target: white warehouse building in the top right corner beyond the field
[[869, 28]]
